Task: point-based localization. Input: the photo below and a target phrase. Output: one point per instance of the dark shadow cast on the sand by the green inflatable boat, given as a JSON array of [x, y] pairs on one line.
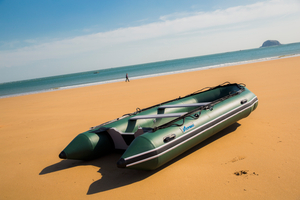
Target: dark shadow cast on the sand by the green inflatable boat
[[113, 177]]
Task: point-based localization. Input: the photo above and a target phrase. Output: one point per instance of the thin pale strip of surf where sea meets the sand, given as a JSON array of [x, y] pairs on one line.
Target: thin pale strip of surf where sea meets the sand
[[154, 75]]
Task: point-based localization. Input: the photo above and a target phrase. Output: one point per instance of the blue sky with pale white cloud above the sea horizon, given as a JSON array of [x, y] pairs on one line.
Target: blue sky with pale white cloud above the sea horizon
[[40, 38]]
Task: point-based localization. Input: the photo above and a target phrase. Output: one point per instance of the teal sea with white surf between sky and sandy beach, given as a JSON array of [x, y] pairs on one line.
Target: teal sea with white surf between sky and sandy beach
[[103, 76]]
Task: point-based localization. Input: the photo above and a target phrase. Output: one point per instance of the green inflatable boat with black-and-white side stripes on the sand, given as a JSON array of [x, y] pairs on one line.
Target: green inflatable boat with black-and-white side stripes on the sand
[[153, 136]]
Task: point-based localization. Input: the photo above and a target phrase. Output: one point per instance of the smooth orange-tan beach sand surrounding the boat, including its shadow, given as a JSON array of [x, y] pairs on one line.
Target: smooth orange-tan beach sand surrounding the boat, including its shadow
[[35, 128]]
